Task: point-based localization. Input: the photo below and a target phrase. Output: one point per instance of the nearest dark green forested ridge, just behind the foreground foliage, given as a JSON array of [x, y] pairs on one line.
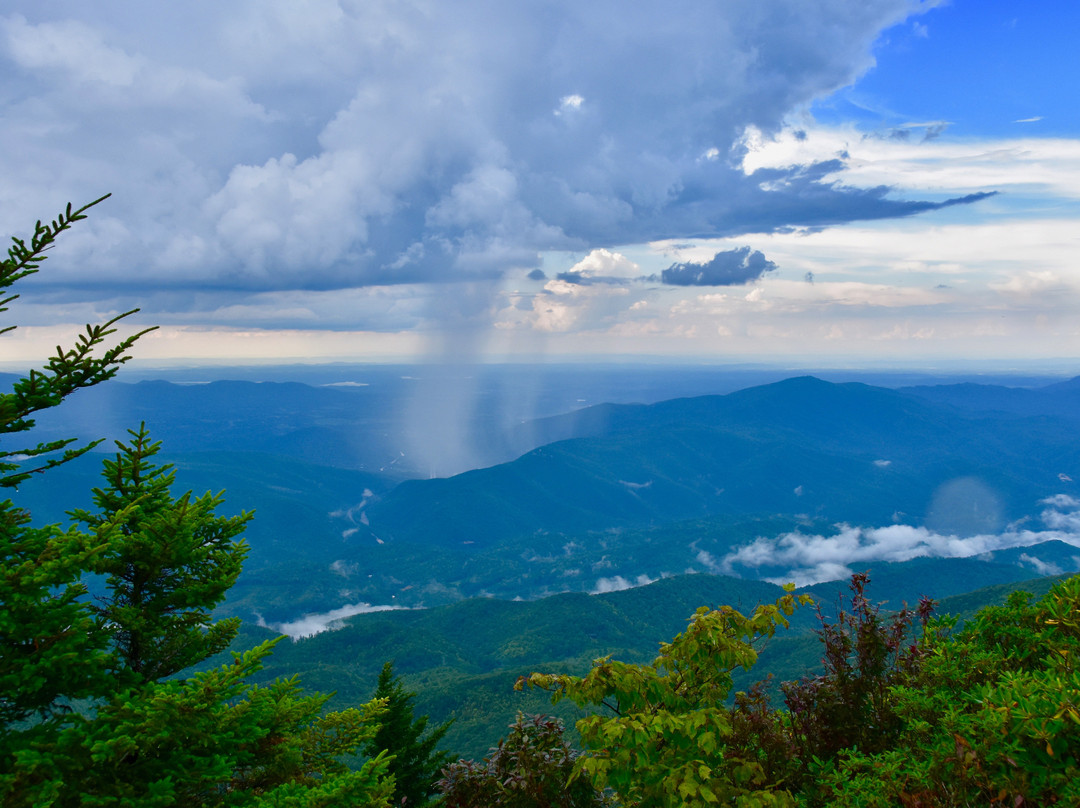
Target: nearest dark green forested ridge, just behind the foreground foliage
[[464, 659]]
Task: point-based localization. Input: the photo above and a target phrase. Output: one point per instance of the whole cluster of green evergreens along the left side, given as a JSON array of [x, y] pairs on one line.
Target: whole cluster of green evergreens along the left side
[[94, 709]]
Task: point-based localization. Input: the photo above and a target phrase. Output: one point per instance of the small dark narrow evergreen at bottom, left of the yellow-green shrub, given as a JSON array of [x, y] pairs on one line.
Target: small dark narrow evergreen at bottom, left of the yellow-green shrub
[[415, 764]]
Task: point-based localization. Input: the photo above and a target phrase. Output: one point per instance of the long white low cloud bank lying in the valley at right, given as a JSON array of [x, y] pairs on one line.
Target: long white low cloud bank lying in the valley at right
[[811, 559]]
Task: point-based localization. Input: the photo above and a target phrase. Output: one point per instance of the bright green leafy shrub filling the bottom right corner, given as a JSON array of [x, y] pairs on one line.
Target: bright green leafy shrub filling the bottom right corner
[[992, 718]]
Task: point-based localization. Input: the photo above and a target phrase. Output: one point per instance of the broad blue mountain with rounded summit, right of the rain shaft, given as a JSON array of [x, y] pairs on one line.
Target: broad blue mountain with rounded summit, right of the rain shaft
[[838, 452]]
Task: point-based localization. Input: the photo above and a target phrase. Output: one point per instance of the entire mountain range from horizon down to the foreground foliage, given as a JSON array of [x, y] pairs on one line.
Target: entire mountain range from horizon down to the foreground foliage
[[957, 492]]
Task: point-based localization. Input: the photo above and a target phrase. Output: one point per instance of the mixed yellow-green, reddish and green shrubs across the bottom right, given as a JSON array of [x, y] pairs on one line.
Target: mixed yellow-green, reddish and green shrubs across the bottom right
[[987, 716]]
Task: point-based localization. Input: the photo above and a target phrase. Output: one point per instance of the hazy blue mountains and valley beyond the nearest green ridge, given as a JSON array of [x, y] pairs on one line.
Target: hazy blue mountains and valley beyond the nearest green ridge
[[801, 480]]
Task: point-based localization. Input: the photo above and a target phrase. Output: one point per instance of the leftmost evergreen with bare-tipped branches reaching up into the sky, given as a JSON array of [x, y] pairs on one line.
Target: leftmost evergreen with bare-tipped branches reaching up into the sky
[[51, 651]]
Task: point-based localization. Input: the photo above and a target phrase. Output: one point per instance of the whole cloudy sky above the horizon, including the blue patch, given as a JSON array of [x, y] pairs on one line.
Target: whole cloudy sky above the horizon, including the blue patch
[[861, 182]]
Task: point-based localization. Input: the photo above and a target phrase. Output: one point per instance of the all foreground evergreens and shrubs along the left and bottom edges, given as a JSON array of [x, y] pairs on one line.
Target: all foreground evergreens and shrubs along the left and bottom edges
[[112, 702]]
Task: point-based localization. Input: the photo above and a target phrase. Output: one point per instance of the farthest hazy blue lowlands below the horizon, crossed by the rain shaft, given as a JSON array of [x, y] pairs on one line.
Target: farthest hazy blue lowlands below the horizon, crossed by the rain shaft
[[410, 421]]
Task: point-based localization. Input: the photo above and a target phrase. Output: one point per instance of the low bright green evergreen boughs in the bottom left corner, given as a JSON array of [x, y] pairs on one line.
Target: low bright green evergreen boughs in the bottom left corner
[[211, 739]]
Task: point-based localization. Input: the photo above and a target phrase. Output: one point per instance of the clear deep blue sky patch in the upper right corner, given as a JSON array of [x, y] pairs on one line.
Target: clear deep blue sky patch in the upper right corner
[[980, 66]]
